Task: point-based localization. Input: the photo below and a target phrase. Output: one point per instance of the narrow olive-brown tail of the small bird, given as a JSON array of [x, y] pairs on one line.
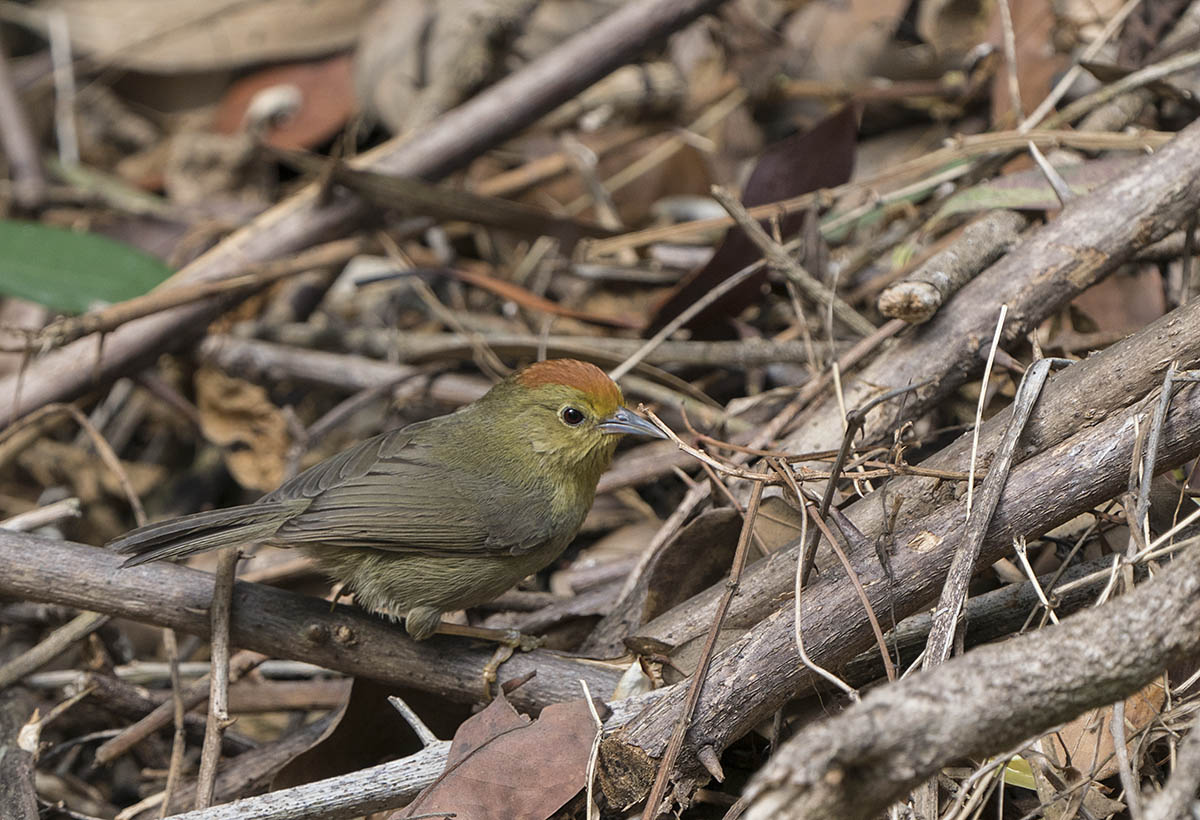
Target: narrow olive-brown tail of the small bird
[[207, 531]]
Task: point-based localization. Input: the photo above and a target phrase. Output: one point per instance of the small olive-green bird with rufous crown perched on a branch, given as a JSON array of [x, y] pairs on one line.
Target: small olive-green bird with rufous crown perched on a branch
[[442, 514]]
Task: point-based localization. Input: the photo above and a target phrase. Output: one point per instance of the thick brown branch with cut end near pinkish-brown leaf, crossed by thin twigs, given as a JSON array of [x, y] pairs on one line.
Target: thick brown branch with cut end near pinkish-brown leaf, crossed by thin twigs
[[761, 671]]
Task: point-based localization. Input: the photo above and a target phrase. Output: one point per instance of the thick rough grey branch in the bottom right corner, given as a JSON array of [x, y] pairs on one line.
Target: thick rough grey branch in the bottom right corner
[[854, 765]]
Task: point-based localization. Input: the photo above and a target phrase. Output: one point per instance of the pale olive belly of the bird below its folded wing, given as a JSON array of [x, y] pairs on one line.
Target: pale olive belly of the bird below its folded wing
[[395, 583]]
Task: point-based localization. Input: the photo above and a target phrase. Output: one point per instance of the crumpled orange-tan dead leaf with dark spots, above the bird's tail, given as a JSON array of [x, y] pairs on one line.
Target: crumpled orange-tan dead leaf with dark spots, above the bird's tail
[[251, 432]]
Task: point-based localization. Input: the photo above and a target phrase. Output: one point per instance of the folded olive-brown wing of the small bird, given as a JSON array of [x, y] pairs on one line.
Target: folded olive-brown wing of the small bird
[[392, 493]]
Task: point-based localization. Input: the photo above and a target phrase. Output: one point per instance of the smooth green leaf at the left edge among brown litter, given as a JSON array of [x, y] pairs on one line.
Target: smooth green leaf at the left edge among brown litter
[[70, 272]]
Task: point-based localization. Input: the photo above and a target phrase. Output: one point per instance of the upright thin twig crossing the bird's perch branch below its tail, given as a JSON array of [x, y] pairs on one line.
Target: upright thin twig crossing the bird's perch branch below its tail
[[219, 684]]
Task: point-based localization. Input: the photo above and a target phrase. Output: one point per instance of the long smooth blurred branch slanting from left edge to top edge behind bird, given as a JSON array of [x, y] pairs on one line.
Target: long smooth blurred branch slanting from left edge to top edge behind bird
[[448, 143]]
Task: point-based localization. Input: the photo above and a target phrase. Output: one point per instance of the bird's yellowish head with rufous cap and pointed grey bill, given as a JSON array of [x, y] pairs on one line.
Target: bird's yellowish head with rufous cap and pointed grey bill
[[572, 414]]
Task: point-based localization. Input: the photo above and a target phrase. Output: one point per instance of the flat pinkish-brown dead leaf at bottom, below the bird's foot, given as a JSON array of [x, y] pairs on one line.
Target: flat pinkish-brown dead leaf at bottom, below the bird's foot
[[505, 768]]
